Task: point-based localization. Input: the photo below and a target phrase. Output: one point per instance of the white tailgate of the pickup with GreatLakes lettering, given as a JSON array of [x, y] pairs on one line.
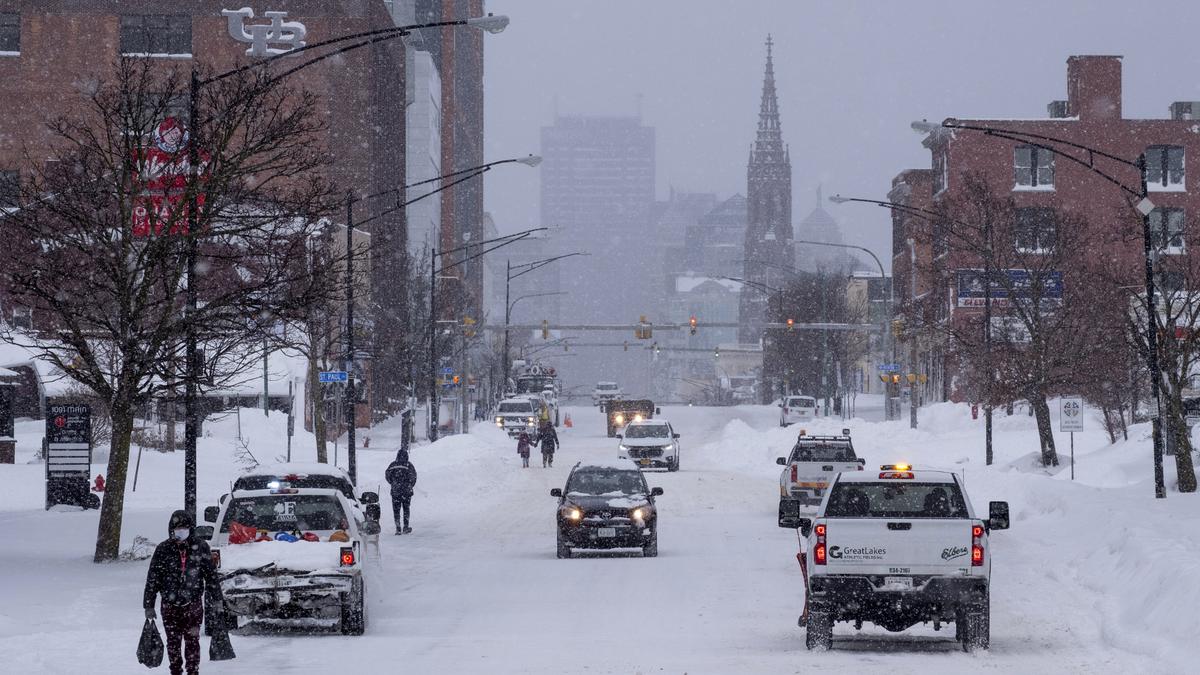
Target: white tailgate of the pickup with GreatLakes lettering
[[916, 546]]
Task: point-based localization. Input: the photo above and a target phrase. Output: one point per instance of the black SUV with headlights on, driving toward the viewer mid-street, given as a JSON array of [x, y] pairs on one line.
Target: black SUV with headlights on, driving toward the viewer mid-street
[[608, 506]]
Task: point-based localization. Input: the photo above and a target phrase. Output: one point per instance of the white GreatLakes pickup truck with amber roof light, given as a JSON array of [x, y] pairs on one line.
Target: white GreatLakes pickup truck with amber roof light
[[898, 548]]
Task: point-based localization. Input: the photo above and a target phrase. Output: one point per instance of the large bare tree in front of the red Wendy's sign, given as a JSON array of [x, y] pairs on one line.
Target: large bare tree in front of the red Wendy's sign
[[99, 241]]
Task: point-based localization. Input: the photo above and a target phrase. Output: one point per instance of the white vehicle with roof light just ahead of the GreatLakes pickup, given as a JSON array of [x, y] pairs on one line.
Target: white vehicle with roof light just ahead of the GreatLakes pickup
[[809, 469]]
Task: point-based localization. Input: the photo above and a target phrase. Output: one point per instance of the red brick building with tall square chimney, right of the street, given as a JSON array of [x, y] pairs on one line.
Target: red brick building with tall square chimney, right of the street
[[1040, 180]]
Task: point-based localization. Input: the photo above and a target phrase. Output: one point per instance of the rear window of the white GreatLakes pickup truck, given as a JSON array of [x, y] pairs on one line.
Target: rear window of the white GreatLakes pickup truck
[[899, 499]]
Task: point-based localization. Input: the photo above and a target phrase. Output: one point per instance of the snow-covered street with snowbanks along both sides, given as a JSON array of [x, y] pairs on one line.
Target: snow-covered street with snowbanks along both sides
[[1091, 578]]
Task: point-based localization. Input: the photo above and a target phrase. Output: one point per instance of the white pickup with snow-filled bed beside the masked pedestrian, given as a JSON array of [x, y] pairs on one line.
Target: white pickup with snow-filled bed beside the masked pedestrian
[[292, 554]]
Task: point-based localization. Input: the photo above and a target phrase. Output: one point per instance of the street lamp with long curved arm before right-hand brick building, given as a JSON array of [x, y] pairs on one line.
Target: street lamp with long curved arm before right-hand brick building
[[1141, 201]]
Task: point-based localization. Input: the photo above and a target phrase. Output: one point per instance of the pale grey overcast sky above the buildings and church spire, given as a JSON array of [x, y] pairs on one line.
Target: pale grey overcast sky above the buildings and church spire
[[851, 77]]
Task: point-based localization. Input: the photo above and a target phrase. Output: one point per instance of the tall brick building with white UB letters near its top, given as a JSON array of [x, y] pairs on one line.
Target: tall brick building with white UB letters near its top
[[50, 50]]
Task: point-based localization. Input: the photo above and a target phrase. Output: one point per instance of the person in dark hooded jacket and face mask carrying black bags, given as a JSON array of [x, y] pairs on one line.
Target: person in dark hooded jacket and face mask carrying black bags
[[182, 572]]
